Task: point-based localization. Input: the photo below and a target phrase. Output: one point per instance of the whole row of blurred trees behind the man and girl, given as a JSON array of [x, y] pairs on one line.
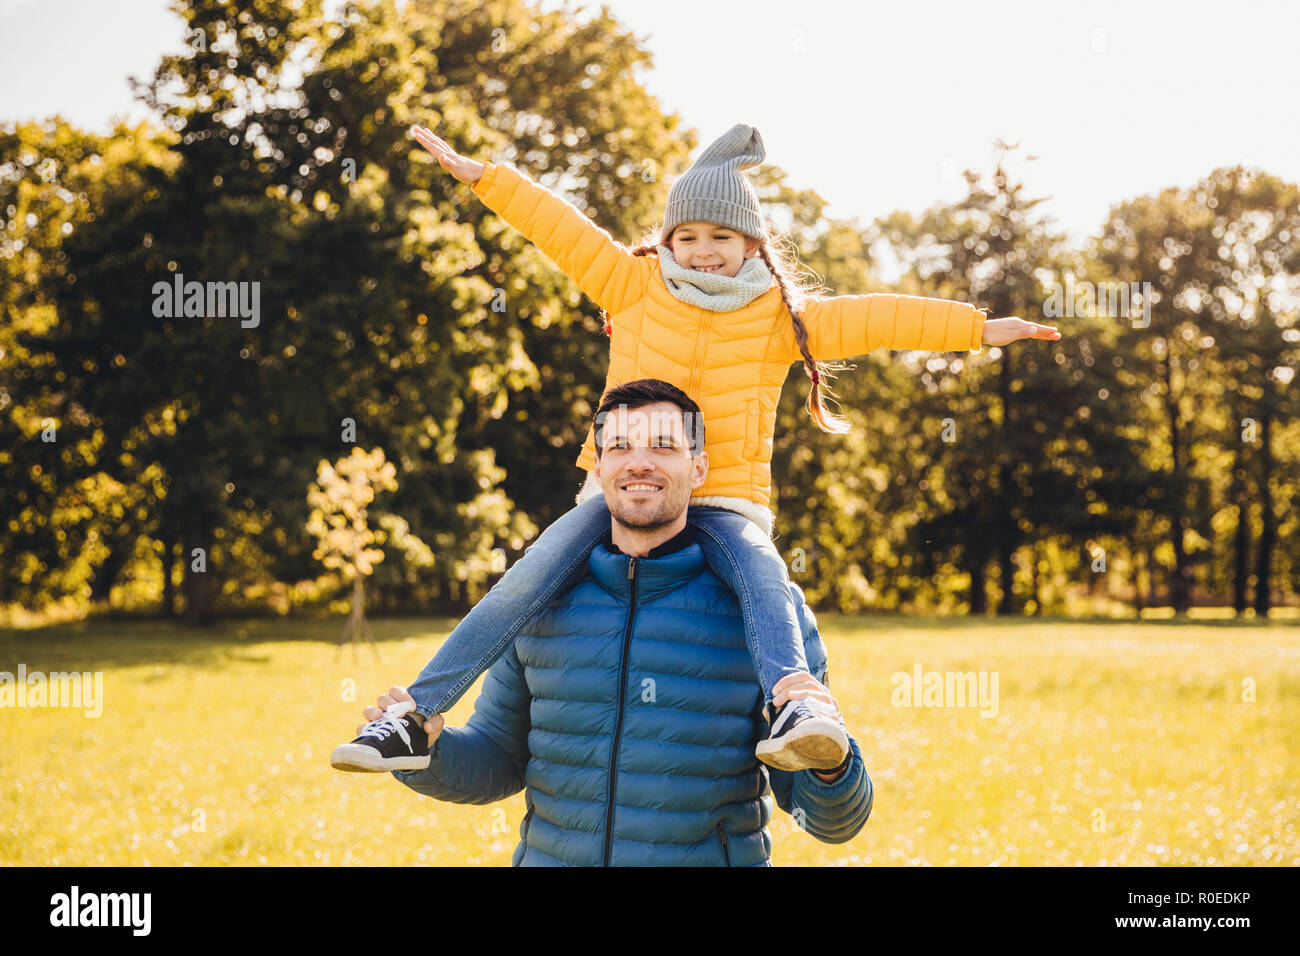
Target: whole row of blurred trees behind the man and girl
[[1128, 465]]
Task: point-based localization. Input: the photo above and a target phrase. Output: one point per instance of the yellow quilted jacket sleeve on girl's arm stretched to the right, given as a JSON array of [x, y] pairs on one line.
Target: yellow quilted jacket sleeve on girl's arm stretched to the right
[[842, 327]]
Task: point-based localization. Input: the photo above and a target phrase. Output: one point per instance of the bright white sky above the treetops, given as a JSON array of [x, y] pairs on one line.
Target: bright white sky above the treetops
[[878, 106]]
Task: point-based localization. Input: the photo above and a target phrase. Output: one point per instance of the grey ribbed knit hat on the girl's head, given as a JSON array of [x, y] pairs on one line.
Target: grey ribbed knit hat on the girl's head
[[714, 191]]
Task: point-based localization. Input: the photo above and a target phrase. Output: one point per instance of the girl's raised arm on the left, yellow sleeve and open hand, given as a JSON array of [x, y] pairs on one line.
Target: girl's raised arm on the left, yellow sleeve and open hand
[[605, 270]]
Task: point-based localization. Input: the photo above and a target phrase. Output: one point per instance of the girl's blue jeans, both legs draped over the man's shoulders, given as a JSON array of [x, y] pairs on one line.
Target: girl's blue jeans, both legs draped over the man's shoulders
[[736, 550]]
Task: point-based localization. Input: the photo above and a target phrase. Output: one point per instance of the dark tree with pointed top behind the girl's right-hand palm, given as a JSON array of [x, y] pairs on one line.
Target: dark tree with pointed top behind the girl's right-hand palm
[[1000, 452]]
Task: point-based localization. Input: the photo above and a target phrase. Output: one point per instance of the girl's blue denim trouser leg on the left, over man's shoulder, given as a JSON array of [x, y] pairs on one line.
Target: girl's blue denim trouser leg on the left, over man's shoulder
[[553, 563]]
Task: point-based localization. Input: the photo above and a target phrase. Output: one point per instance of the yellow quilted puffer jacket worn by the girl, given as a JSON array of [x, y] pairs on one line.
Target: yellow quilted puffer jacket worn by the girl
[[731, 364]]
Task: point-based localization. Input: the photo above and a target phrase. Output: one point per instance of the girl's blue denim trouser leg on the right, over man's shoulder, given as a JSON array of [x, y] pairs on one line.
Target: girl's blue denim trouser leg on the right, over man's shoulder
[[747, 561]]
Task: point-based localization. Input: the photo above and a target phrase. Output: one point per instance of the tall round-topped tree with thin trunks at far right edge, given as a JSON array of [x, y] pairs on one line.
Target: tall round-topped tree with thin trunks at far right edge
[[1223, 261]]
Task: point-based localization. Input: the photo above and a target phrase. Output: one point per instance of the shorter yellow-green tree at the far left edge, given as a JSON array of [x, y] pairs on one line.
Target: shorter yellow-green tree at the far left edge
[[75, 486]]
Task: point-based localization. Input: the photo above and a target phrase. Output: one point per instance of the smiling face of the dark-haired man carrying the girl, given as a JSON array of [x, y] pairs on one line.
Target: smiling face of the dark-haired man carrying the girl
[[645, 468]]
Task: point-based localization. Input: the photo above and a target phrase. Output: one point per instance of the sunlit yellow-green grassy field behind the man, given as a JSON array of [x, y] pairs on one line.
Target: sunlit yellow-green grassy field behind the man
[[1113, 745]]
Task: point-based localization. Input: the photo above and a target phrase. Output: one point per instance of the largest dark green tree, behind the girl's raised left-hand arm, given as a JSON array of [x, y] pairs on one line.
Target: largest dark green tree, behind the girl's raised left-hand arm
[[378, 276]]
